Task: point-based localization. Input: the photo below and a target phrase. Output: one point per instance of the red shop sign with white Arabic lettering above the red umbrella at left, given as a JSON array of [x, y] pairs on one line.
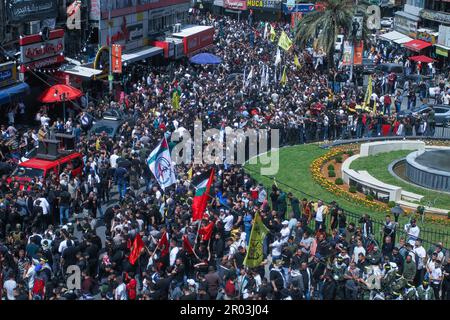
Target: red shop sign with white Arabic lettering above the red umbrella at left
[[35, 50]]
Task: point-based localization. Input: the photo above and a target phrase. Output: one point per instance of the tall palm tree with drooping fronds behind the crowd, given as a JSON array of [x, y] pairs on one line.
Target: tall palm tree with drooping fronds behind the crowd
[[334, 16]]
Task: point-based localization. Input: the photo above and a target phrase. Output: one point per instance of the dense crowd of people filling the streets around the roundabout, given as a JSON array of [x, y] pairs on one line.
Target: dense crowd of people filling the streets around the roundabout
[[311, 252]]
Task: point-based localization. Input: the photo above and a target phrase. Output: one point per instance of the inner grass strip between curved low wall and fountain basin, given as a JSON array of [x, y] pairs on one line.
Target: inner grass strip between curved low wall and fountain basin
[[377, 166]]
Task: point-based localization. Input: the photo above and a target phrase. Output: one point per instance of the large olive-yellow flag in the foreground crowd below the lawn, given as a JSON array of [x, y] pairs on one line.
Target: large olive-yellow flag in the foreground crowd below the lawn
[[254, 255]]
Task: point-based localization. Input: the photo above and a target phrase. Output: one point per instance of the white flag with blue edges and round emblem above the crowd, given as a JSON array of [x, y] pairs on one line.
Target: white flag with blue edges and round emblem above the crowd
[[161, 165]]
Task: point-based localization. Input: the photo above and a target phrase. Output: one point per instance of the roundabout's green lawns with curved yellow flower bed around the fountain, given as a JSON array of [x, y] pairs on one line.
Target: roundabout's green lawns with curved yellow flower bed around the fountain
[[303, 171]]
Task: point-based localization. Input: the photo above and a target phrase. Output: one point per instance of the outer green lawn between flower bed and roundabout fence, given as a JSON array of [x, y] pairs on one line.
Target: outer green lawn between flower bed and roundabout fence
[[295, 173]]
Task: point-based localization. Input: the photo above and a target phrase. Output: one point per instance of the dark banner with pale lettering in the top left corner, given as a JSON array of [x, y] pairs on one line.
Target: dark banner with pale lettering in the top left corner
[[30, 10]]
